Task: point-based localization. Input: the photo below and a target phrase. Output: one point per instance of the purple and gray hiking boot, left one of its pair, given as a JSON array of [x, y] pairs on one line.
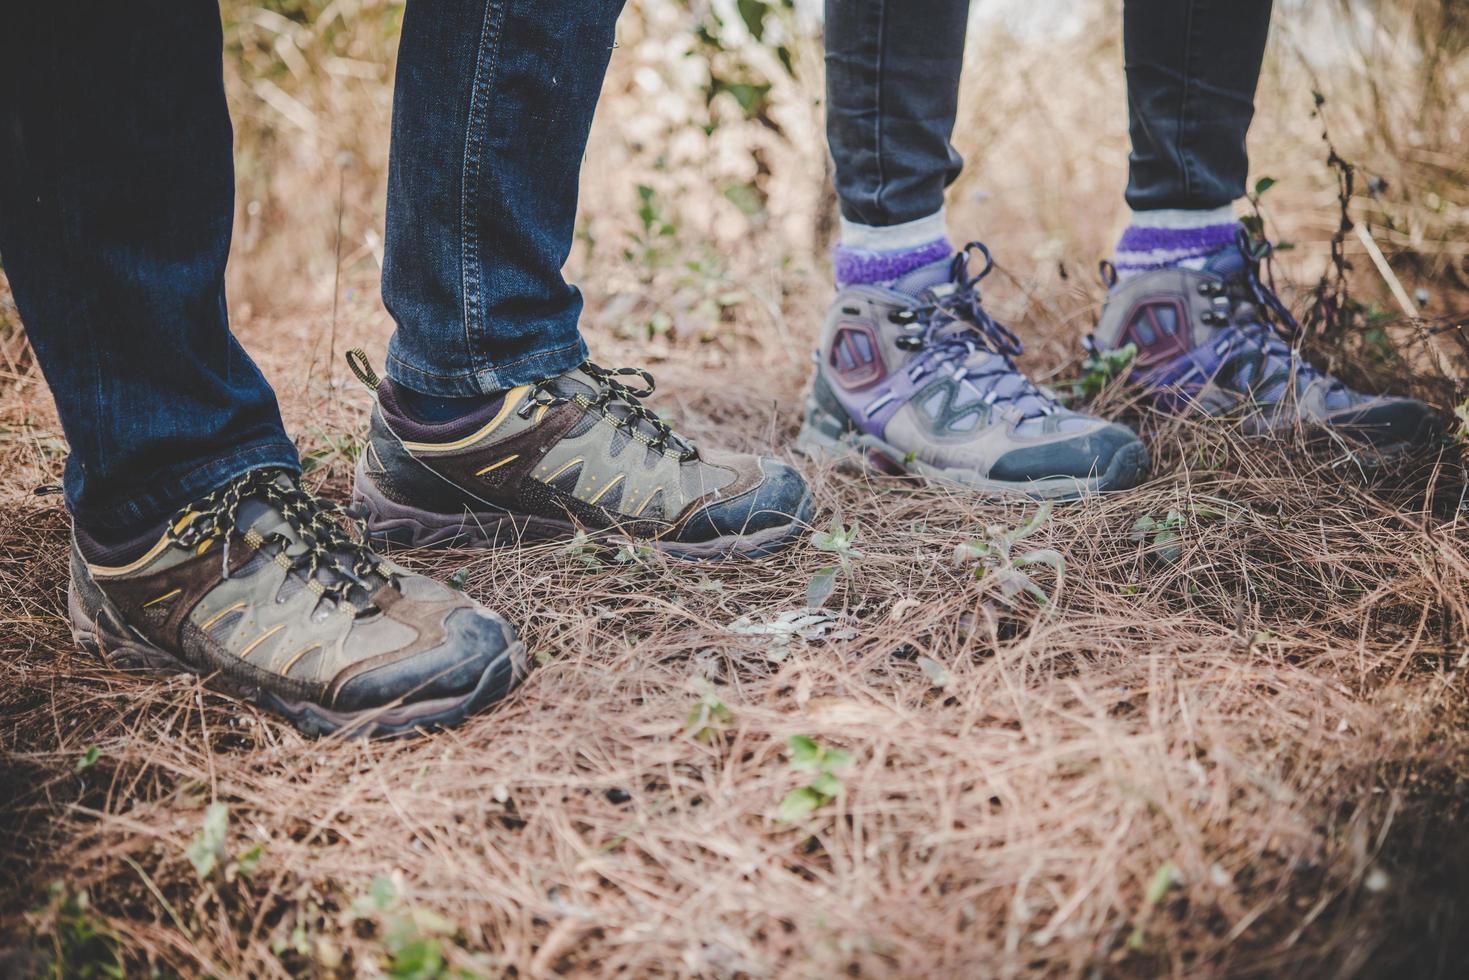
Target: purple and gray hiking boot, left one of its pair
[[920, 380]]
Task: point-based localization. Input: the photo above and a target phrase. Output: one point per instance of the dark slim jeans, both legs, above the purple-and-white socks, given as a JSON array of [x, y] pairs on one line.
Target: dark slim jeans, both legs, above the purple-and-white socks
[[894, 82]]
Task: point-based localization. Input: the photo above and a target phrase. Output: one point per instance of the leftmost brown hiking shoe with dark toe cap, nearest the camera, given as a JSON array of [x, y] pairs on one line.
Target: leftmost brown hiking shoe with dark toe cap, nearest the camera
[[261, 588]]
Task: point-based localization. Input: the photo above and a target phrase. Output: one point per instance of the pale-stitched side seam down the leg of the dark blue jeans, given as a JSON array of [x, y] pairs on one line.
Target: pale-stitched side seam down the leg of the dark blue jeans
[[471, 259]]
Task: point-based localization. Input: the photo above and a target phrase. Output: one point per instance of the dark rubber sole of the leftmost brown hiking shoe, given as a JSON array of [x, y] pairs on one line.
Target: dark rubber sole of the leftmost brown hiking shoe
[[105, 637]]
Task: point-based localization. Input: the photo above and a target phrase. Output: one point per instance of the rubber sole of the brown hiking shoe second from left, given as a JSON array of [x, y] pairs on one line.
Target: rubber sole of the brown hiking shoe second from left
[[394, 525]]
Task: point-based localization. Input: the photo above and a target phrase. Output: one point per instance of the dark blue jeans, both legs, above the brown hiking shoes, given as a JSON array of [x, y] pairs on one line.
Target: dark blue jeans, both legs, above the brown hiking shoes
[[117, 201]]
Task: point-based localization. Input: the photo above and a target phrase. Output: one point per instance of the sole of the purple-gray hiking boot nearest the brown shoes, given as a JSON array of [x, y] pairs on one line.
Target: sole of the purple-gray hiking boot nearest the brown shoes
[[857, 452]]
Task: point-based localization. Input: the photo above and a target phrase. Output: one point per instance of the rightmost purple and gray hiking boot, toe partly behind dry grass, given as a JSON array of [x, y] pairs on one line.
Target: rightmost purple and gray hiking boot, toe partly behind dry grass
[[1220, 342]]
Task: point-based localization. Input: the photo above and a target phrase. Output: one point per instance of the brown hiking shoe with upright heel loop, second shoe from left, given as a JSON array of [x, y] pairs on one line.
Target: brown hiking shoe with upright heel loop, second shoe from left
[[577, 452]]
